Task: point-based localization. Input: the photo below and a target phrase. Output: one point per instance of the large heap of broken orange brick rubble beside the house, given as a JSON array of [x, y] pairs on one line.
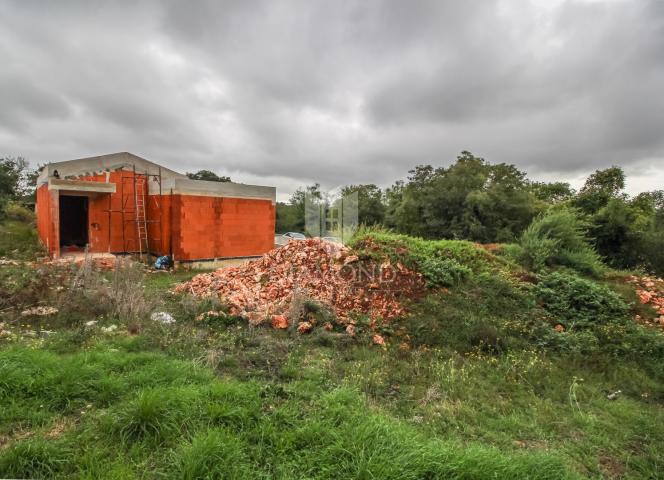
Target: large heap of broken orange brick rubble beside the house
[[265, 289]]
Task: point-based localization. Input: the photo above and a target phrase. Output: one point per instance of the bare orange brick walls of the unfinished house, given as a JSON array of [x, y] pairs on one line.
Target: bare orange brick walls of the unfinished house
[[192, 227]]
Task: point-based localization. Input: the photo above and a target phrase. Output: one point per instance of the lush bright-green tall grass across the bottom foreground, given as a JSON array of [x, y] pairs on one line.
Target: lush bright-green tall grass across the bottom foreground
[[219, 429]]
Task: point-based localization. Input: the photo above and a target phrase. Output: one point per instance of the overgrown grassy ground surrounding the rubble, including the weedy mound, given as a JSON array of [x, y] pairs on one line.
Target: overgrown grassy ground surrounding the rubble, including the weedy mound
[[474, 384]]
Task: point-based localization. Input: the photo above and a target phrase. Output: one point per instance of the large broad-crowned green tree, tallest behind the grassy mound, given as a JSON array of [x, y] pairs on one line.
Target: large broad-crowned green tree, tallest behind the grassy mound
[[471, 199]]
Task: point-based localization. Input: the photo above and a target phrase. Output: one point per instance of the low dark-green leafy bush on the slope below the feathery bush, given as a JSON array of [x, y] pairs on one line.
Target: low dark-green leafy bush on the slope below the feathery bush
[[578, 303]]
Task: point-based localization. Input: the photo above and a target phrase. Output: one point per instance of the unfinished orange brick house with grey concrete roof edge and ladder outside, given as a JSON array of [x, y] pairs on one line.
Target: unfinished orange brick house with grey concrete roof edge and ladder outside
[[124, 204]]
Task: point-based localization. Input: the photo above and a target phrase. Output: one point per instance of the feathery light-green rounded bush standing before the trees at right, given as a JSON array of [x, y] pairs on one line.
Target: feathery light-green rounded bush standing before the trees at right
[[558, 238]]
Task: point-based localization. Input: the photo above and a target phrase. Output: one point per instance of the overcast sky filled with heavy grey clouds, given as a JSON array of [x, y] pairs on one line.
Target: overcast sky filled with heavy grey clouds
[[290, 93]]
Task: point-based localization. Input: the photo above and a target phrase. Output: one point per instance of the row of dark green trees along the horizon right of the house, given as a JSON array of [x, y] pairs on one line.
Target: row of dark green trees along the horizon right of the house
[[476, 200]]
